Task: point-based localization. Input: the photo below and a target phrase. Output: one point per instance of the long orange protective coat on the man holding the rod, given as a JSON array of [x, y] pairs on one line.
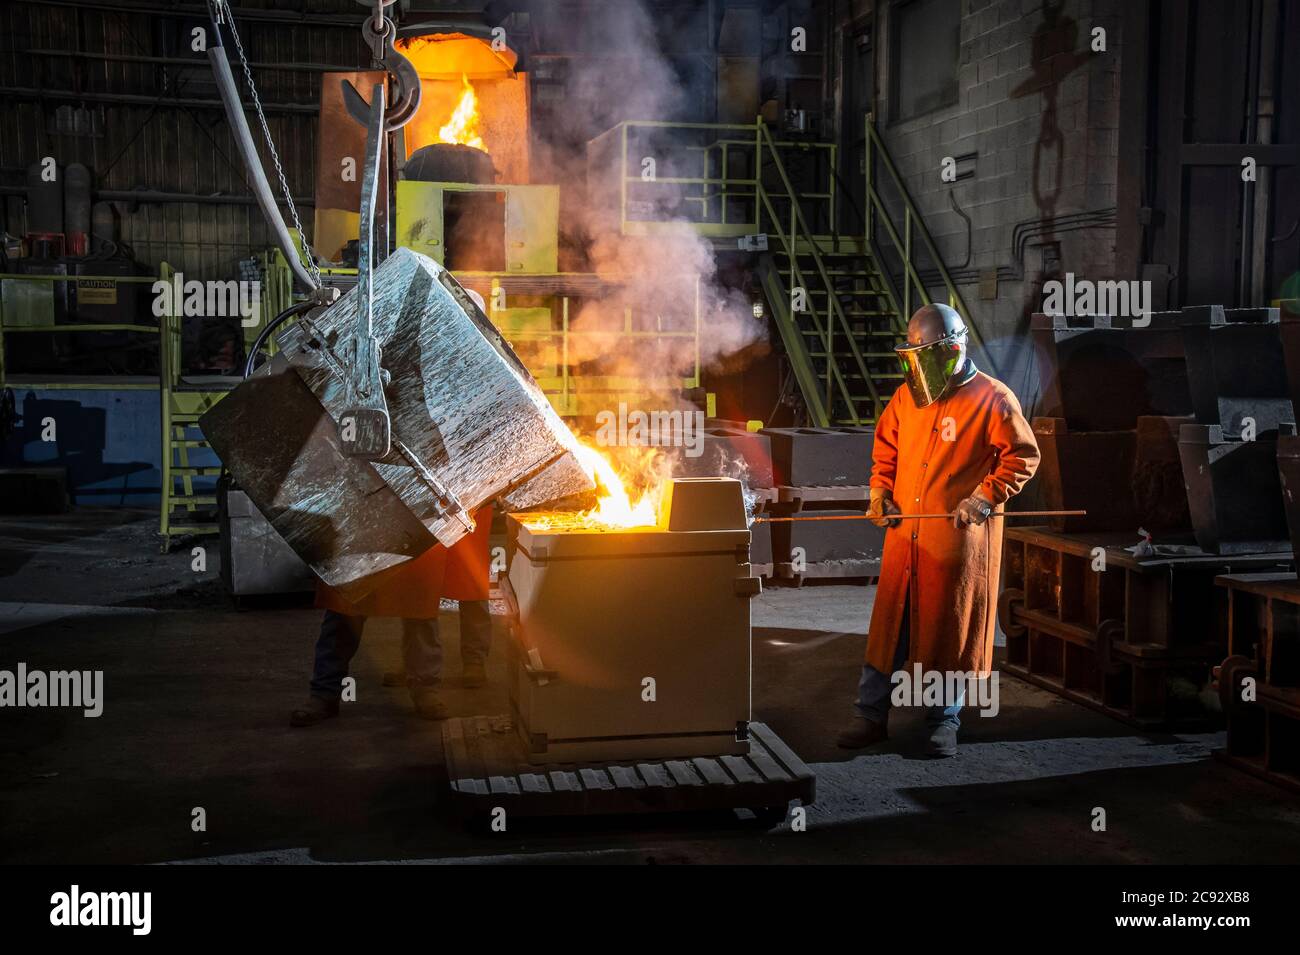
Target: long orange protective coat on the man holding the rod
[[931, 459]]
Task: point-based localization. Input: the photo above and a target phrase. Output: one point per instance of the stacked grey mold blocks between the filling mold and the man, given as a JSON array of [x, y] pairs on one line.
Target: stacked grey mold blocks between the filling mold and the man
[[824, 472]]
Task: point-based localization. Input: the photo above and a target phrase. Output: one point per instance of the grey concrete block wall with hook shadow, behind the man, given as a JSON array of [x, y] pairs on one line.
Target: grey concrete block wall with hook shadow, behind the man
[[1041, 111]]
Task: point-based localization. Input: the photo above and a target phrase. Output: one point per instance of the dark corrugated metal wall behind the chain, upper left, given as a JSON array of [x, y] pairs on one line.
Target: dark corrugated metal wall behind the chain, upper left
[[118, 88]]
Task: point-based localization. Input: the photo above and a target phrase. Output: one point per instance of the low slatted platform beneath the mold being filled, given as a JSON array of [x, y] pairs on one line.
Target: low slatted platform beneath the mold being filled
[[488, 770]]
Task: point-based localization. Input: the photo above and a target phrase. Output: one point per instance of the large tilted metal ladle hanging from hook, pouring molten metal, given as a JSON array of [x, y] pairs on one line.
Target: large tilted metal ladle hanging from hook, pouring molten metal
[[469, 426]]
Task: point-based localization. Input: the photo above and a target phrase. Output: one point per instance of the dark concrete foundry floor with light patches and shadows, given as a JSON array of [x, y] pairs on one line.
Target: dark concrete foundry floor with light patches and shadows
[[198, 696]]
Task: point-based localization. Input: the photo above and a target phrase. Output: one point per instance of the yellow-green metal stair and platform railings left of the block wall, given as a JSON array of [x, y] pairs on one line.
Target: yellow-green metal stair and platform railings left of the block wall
[[761, 198]]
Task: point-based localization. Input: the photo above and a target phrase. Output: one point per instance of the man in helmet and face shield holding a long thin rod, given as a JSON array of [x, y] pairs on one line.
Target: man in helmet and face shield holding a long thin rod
[[954, 441]]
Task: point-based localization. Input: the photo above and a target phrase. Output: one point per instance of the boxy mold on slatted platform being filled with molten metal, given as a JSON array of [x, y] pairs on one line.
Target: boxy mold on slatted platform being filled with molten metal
[[634, 644]]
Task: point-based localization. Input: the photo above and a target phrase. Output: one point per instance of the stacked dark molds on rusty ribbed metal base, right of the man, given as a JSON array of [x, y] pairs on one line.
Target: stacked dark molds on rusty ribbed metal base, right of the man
[[1150, 427]]
